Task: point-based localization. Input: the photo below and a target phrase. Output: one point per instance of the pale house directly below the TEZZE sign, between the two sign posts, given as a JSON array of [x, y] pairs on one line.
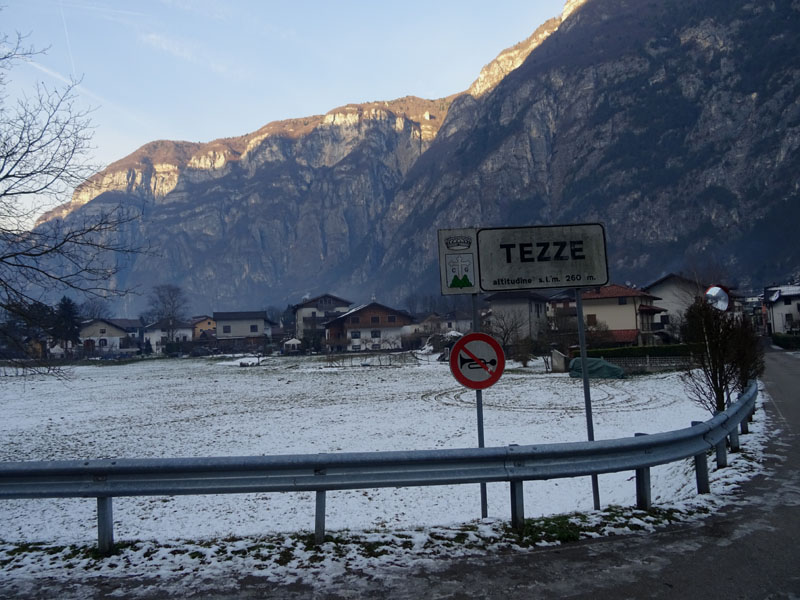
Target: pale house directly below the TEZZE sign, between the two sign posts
[[517, 315]]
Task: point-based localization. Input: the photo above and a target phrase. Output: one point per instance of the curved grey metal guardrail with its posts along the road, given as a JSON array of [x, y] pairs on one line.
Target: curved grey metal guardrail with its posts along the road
[[105, 479]]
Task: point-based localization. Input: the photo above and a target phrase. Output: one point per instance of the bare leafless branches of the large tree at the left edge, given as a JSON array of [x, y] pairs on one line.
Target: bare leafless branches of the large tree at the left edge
[[44, 141]]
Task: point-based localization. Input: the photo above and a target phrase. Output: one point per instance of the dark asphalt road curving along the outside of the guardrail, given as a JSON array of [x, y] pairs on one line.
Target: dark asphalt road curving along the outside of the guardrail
[[748, 550]]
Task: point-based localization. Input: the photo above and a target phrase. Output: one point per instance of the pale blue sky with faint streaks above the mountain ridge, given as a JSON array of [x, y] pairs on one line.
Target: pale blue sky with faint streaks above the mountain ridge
[[198, 70]]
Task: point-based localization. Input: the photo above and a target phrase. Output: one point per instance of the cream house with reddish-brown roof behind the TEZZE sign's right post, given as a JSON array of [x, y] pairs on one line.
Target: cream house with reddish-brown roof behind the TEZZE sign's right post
[[627, 313]]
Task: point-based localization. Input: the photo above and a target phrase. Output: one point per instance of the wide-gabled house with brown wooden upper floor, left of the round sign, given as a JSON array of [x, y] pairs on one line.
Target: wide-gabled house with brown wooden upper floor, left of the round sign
[[370, 326]]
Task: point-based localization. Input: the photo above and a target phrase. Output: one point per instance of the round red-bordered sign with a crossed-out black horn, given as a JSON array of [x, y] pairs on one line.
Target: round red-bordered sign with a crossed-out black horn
[[477, 361]]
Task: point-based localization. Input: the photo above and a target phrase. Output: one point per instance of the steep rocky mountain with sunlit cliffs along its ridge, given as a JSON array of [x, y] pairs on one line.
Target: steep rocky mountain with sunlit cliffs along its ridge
[[676, 123]]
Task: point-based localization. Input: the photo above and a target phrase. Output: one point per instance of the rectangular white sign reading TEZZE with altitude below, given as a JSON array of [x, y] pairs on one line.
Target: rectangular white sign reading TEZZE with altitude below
[[520, 258]]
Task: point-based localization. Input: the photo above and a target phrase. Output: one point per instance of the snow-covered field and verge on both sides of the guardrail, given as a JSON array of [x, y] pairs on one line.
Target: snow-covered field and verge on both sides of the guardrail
[[212, 407]]
